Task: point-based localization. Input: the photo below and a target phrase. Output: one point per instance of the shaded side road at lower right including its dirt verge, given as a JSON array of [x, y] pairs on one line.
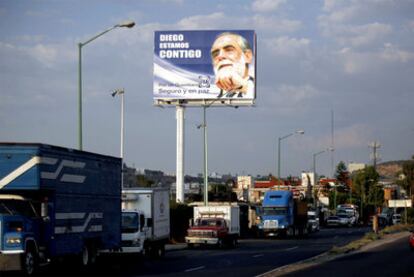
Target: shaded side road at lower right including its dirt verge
[[390, 256]]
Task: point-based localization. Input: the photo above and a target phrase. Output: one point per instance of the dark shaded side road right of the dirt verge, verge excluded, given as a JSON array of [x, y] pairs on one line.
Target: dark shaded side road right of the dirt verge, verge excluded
[[392, 259]]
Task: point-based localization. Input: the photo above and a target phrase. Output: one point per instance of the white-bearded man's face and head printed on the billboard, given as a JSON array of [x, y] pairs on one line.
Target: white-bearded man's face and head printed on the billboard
[[227, 54]]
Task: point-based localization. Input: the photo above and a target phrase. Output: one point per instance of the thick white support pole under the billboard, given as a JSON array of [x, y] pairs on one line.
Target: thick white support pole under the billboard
[[180, 155]]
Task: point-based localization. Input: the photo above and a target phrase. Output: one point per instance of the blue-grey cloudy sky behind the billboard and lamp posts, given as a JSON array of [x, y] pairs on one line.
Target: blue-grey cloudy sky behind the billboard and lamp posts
[[353, 59]]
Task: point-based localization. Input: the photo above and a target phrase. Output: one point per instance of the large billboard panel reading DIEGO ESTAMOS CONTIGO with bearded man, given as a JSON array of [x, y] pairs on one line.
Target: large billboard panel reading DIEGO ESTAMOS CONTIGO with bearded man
[[192, 67]]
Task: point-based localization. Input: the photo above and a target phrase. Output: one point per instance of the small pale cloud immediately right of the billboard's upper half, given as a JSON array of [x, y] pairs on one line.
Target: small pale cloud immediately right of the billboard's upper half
[[285, 46]]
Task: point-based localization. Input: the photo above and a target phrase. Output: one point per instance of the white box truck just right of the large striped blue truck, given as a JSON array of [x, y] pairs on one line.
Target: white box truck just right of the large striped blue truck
[[145, 221]]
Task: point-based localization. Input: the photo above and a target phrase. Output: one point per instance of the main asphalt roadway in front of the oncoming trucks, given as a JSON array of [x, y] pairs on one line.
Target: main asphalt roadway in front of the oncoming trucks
[[250, 258]]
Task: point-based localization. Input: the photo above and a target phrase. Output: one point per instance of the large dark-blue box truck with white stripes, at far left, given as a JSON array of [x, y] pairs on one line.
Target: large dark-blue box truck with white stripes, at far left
[[56, 202]]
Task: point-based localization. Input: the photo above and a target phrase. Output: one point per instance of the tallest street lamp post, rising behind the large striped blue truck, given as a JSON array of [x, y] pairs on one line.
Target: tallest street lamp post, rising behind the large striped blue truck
[[128, 24]]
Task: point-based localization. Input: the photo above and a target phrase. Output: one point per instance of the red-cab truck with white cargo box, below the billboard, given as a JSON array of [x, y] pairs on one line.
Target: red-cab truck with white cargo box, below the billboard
[[214, 225]]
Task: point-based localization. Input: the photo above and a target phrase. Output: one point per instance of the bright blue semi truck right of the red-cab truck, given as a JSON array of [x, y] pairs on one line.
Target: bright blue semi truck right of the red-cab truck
[[281, 215]]
